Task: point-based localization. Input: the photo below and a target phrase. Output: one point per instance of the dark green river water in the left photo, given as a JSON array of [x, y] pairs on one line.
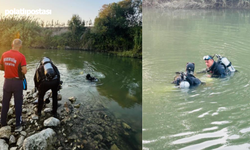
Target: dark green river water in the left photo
[[119, 87]]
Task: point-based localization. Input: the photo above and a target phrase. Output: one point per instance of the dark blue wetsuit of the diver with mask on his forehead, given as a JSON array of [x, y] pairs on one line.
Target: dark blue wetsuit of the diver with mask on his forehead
[[218, 70]]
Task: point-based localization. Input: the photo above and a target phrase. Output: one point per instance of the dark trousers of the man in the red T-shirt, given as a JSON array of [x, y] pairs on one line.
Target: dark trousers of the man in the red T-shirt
[[12, 86]]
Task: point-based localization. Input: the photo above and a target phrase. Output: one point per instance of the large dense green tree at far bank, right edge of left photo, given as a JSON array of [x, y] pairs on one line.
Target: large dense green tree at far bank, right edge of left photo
[[114, 25]]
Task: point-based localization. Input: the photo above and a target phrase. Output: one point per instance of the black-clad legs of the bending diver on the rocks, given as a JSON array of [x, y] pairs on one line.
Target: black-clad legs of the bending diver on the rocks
[[42, 89]]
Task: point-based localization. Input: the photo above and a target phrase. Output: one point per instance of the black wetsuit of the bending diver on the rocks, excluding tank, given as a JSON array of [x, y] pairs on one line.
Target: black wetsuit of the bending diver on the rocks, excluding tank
[[43, 85]]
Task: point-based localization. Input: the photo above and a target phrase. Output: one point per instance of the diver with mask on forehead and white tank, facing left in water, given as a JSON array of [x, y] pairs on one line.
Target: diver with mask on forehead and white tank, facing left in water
[[219, 69]]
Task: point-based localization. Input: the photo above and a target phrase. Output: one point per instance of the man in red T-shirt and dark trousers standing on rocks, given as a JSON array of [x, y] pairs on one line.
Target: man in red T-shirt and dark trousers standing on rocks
[[14, 65]]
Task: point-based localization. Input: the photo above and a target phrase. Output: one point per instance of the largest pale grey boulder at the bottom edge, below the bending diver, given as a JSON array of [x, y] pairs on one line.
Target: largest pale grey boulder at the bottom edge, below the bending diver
[[40, 141]]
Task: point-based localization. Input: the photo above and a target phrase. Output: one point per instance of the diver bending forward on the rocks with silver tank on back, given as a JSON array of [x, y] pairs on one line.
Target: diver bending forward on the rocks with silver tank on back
[[47, 77]]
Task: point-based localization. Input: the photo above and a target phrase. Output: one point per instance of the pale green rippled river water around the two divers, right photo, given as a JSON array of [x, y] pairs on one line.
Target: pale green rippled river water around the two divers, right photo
[[212, 116]]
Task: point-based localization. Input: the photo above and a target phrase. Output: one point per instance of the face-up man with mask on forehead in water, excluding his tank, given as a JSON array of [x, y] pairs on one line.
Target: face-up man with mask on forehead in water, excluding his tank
[[217, 70]]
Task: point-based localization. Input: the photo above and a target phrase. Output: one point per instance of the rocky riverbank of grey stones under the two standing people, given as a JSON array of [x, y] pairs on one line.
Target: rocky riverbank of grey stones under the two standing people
[[77, 126]]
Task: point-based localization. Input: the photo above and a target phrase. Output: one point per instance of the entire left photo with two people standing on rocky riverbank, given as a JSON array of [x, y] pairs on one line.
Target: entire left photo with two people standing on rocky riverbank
[[71, 75]]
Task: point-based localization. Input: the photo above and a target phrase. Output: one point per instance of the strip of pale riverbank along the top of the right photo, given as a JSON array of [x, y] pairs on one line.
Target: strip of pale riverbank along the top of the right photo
[[197, 4]]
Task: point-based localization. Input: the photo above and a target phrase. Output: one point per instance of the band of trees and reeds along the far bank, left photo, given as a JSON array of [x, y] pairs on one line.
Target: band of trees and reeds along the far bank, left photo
[[117, 29]]
